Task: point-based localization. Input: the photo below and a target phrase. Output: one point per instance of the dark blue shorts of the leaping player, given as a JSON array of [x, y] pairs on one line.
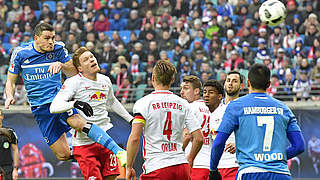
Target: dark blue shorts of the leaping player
[[52, 126]]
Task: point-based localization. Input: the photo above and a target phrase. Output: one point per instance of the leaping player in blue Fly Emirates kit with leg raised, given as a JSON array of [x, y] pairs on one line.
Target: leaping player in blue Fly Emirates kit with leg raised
[[40, 62]]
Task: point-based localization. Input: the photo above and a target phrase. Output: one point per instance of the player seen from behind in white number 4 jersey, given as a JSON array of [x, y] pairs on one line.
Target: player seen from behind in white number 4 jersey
[[162, 116]]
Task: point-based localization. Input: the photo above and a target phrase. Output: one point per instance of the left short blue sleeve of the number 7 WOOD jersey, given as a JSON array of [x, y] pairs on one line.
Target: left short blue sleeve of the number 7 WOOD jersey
[[229, 119]]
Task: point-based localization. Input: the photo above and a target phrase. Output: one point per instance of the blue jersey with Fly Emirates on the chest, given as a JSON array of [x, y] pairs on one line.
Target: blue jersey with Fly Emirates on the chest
[[41, 86]]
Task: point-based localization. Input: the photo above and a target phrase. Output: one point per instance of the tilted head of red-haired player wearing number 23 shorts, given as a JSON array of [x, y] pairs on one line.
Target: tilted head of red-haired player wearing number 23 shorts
[[85, 62]]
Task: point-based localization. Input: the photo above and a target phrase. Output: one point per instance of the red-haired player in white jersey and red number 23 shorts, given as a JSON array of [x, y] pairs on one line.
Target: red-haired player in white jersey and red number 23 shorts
[[95, 90]]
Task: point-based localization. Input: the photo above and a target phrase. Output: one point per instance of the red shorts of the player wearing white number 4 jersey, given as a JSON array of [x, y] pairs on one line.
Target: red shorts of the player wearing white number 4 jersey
[[180, 171]]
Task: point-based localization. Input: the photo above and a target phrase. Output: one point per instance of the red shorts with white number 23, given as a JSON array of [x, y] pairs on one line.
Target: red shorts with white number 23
[[96, 161]]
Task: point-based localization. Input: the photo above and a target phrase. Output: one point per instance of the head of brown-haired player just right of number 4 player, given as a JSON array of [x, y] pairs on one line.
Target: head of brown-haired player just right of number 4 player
[[190, 88]]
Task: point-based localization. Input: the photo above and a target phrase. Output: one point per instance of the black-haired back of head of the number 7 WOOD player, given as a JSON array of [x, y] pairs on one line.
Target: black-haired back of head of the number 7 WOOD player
[[259, 77]]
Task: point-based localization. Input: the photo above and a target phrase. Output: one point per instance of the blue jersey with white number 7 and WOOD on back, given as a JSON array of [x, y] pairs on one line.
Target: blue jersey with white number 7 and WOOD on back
[[260, 123]]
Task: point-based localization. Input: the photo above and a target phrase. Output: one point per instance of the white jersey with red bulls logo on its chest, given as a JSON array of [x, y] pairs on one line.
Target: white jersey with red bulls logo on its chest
[[99, 94]]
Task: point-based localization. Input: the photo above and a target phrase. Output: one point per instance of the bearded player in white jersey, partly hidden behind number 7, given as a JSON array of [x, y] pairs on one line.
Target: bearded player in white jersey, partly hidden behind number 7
[[228, 166]]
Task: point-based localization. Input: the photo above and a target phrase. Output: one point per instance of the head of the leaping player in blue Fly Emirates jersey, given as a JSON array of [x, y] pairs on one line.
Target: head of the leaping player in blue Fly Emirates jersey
[[44, 37]]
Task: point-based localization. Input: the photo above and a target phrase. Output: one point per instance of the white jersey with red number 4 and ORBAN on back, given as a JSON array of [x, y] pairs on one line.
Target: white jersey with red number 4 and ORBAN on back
[[165, 115]]
